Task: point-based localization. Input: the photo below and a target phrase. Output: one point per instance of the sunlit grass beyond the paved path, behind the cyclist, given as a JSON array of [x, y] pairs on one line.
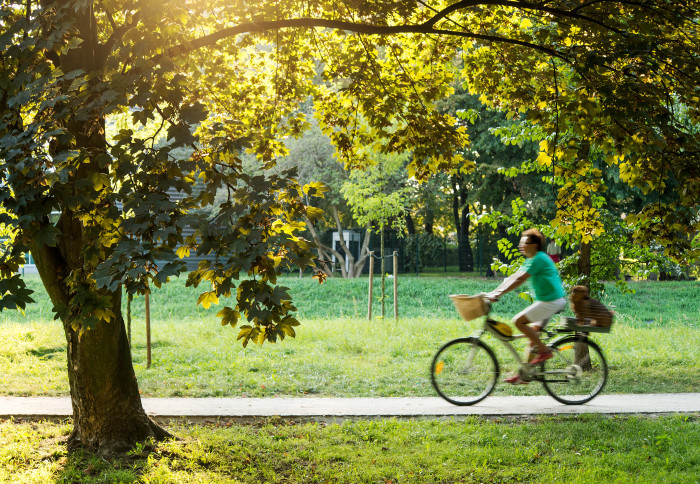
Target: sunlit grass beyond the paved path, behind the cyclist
[[337, 352]]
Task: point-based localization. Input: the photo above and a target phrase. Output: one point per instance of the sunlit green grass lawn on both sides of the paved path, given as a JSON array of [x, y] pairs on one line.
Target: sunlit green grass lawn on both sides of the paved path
[[337, 352]]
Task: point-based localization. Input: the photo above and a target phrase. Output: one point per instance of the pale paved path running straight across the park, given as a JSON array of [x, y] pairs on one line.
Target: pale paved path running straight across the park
[[312, 408]]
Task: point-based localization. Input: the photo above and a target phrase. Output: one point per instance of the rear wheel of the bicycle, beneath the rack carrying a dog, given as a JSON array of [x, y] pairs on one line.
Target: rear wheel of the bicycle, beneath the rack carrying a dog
[[577, 372]]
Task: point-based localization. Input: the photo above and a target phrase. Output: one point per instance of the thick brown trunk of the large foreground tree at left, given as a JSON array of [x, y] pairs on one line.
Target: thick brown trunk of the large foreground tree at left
[[108, 416]]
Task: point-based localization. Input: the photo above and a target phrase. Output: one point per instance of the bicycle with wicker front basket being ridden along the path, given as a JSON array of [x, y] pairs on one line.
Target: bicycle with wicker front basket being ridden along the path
[[465, 370]]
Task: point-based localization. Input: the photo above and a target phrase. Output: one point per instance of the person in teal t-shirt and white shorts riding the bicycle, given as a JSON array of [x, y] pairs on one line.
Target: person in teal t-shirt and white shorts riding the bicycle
[[549, 294]]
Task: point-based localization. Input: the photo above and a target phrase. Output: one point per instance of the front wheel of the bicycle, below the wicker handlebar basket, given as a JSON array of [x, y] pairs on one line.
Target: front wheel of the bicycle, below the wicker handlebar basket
[[464, 371]]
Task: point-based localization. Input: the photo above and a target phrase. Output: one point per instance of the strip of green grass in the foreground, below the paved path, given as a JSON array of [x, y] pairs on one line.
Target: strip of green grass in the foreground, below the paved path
[[542, 449]]
